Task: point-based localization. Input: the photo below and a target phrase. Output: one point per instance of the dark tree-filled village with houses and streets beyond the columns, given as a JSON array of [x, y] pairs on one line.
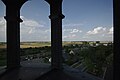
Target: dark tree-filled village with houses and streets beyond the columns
[[91, 57]]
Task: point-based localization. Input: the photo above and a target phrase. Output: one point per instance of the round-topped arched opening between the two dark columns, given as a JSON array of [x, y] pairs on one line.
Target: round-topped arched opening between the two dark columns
[[35, 33]]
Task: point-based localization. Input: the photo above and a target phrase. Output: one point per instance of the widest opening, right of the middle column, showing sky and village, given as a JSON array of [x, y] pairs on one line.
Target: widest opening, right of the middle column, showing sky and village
[[88, 35]]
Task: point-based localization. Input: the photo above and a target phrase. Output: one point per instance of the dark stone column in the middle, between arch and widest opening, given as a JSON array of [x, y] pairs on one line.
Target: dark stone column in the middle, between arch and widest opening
[[56, 17]]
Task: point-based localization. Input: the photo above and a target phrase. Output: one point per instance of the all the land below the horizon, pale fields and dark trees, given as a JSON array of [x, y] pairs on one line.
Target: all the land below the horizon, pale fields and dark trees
[[94, 56]]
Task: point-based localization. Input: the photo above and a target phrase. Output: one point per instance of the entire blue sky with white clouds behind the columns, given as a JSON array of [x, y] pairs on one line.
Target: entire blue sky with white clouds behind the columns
[[85, 20]]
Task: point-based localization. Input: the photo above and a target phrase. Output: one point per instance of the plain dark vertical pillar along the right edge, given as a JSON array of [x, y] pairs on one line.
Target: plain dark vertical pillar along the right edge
[[116, 21]]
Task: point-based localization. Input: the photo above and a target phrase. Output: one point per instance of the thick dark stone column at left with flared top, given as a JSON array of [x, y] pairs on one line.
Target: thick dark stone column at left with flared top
[[13, 32]]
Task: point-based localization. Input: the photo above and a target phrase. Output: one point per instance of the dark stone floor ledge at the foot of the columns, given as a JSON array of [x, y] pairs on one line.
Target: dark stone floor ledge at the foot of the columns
[[33, 70]]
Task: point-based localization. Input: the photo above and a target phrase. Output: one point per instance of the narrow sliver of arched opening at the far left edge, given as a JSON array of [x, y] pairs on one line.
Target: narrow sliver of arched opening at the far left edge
[[2, 36]]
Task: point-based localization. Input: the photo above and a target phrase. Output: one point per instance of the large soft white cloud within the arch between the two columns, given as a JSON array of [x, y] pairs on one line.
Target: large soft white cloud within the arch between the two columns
[[29, 26]]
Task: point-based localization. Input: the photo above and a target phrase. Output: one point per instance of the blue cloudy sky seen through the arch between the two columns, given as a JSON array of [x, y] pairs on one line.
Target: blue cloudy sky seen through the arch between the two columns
[[36, 16]]
